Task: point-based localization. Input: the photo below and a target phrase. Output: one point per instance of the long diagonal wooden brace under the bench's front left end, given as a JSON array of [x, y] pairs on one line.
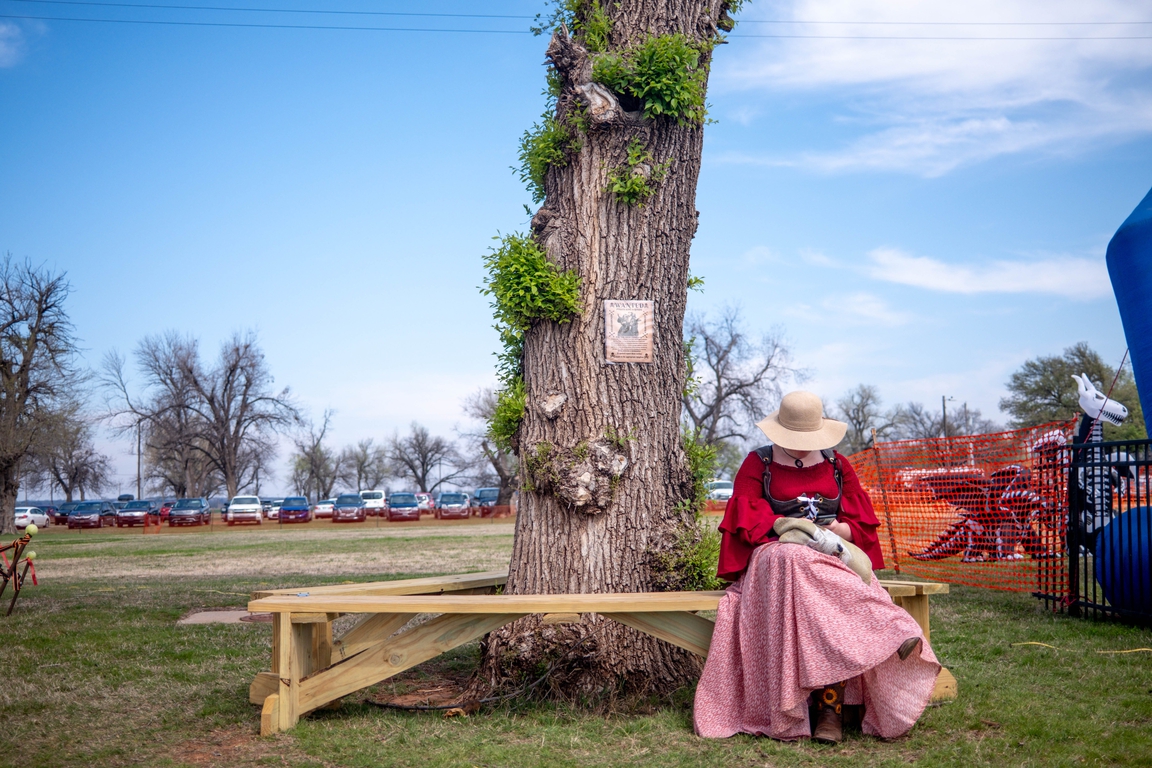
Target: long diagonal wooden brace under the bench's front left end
[[398, 655]]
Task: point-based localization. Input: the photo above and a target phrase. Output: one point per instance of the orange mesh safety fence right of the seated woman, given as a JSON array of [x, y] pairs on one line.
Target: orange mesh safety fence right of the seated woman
[[987, 511]]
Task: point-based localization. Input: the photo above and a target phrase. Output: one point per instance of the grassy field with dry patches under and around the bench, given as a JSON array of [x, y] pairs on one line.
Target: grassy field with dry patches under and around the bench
[[96, 673]]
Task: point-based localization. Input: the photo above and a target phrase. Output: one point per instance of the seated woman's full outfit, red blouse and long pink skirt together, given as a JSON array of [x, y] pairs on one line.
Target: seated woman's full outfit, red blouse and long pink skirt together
[[798, 620]]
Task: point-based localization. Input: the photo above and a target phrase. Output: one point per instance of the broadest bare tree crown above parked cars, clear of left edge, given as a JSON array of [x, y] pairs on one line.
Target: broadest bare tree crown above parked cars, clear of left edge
[[228, 412]]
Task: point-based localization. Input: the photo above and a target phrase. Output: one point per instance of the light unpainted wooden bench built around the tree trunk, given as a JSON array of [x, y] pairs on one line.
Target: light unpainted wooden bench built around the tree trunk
[[310, 670]]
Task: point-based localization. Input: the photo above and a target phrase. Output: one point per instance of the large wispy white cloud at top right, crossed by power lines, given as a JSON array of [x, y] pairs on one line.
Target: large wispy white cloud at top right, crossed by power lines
[[930, 107]]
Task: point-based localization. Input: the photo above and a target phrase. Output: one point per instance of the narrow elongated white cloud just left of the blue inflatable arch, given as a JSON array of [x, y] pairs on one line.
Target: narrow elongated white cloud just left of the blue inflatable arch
[[1064, 276]]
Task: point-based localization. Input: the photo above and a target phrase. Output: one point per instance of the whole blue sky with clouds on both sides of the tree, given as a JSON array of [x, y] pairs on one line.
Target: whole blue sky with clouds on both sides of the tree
[[923, 216]]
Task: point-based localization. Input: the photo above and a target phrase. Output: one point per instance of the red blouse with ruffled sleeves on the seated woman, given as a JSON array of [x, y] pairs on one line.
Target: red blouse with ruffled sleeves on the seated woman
[[748, 520]]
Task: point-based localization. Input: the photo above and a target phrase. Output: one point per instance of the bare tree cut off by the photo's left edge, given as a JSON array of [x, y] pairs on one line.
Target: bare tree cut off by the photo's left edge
[[37, 354]]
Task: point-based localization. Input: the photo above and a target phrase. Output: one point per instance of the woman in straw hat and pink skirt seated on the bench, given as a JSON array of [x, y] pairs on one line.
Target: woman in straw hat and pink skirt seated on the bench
[[798, 621]]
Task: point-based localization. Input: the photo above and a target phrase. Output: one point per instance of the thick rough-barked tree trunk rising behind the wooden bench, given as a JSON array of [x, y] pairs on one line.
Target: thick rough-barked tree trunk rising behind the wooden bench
[[604, 476]]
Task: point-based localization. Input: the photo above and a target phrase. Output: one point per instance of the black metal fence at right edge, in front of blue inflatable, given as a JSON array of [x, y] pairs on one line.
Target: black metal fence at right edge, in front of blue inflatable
[[1110, 531]]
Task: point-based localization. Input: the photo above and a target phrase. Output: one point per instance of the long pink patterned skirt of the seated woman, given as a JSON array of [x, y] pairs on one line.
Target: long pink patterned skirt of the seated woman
[[795, 622]]
